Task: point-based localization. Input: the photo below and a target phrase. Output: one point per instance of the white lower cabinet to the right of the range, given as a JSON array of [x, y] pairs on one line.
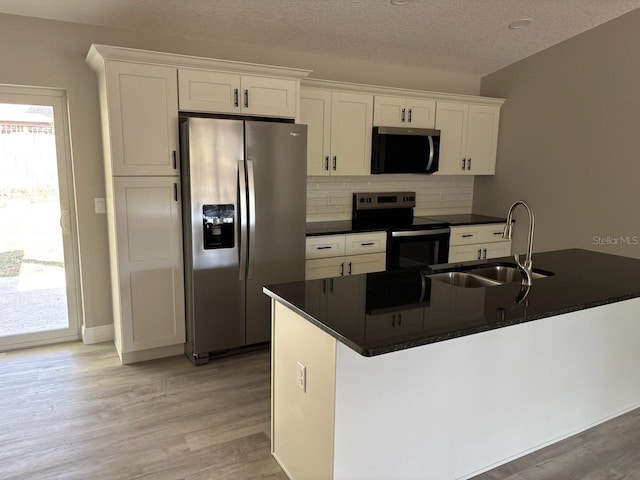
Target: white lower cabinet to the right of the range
[[477, 242]]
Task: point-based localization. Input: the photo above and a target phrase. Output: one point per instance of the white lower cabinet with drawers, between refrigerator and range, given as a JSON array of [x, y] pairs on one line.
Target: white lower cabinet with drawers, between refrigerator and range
[[339, 255]]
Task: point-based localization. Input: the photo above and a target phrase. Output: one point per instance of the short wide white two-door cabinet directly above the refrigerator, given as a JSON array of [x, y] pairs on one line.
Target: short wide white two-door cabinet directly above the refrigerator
[[212, 91]]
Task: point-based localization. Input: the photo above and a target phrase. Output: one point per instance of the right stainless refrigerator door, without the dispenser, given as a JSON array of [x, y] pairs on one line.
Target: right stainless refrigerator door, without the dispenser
[[276, 166]]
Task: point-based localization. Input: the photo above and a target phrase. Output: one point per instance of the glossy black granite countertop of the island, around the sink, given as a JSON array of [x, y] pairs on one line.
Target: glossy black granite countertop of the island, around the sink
[[384, 312]]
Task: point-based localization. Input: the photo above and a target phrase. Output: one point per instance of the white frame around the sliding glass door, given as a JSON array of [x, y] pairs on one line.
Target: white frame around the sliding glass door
[[56, 98]]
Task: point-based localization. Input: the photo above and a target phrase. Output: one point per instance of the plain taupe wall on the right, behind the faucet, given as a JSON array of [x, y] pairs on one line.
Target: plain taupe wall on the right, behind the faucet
[[569, 141]]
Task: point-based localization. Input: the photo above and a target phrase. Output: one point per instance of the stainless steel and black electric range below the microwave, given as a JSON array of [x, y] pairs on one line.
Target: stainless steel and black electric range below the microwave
[[412, 242]]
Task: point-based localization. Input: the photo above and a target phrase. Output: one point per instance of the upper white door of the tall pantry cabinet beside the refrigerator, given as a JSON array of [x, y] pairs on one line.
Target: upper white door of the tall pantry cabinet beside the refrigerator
[[142, 105]]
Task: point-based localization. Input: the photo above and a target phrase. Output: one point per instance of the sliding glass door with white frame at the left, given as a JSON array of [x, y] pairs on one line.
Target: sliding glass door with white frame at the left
[[39, 299]]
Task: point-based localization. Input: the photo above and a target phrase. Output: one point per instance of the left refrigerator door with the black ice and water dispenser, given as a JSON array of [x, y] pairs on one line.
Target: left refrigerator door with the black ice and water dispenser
[[215, 291]]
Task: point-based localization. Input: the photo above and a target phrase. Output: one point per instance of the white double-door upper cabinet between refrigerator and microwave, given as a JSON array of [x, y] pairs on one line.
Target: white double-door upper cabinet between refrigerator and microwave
[[339, 131]]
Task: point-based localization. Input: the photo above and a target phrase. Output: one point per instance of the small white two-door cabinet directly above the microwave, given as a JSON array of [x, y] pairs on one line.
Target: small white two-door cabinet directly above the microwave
[[403, 112]]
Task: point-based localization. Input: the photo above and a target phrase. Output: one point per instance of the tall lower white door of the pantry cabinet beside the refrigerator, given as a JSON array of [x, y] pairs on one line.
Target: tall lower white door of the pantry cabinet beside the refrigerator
[[148, 280]]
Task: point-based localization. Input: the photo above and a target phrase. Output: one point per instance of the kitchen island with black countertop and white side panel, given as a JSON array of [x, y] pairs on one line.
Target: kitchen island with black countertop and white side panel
[[397, 375]]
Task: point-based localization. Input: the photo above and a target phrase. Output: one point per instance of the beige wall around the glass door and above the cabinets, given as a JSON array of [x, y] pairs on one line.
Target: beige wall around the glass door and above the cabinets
[[51, 54]]
